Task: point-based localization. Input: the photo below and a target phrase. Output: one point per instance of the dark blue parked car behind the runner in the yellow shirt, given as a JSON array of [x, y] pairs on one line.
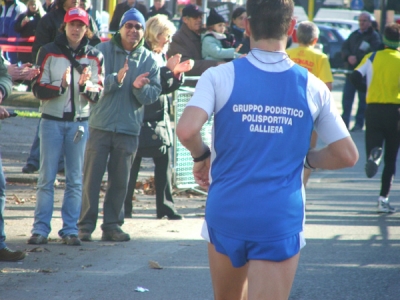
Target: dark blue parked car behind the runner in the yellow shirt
[[330, 41]]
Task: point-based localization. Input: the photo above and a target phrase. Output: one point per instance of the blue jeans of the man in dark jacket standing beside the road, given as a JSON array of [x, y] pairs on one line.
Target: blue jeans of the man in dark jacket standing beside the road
[[349, 91]]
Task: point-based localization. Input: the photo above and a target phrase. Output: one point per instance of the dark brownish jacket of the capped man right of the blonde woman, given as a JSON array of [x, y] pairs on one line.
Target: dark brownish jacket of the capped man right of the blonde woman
[[188, 43]]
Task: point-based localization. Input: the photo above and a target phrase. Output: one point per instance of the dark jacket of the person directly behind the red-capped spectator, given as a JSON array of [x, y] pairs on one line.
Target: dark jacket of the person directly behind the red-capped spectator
[[47, 30]]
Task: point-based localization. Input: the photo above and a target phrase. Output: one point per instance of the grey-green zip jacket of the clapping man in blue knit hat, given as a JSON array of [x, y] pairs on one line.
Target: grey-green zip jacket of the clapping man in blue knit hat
[[120, 109]]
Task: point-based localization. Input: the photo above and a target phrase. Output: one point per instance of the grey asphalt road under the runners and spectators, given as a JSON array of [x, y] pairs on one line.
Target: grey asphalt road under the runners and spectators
[[351, 253]]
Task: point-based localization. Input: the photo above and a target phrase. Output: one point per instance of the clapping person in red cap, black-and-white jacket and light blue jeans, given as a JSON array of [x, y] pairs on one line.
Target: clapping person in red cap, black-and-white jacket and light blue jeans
[[71, 76]]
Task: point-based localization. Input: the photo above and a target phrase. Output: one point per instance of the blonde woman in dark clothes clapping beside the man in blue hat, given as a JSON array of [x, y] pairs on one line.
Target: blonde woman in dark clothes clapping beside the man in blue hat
[[156, 137]]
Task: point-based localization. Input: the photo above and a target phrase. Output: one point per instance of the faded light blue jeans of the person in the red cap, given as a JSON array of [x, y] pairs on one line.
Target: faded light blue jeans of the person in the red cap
[[56, 138]]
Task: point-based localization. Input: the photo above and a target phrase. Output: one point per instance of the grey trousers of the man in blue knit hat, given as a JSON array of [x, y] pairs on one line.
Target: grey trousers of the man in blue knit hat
[[119, 149]]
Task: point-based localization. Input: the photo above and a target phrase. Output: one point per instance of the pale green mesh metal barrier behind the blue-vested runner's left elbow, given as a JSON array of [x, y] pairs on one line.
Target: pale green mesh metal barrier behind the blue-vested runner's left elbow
[[183, 161]]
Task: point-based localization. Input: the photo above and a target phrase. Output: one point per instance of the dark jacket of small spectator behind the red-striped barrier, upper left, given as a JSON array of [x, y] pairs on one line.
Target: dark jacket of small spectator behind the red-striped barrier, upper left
[[26, 31]]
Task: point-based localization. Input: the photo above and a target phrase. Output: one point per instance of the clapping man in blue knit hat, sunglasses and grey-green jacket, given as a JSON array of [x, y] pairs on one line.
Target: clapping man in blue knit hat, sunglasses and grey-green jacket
[[132, 80]]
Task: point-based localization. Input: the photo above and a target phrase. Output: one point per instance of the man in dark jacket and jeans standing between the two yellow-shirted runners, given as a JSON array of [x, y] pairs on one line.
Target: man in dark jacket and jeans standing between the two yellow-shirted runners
[[360, 42]]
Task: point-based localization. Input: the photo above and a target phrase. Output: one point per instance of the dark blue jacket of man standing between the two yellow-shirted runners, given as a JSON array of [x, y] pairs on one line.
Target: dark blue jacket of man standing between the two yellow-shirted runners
[[359, 44]]
